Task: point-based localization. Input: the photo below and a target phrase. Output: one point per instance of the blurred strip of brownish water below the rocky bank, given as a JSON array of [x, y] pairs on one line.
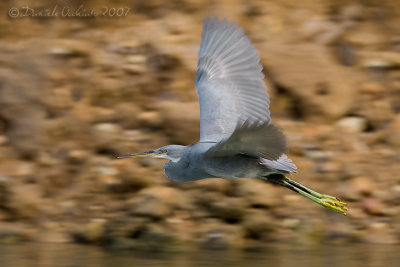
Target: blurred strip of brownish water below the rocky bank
[[277, 255]]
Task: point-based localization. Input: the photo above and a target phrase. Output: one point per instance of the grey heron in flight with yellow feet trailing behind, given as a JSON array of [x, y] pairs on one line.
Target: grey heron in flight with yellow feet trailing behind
[[237, 138]]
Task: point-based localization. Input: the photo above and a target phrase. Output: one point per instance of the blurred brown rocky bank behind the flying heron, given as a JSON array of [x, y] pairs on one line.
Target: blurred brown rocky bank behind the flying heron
[[76, 92]]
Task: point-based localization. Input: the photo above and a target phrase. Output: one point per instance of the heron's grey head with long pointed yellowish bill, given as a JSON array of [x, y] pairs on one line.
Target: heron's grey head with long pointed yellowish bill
[[170, 152]]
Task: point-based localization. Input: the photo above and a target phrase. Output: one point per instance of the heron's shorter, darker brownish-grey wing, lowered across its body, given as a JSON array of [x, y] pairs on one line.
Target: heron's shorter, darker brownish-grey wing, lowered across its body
[[261, 141]]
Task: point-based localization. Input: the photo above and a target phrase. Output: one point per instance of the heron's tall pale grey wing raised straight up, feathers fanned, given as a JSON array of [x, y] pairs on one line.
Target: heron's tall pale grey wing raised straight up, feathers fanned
[[228, 81]]
